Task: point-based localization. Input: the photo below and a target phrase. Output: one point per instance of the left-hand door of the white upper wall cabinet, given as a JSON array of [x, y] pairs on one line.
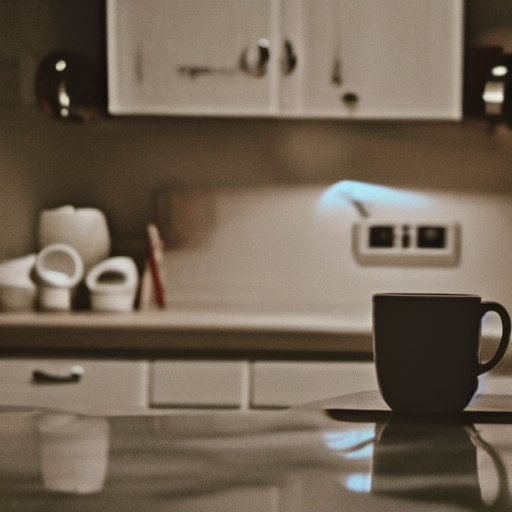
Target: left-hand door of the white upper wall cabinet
[[192, 57]]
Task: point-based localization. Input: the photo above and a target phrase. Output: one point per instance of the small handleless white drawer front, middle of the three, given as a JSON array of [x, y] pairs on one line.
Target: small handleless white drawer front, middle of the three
[[198, 383]]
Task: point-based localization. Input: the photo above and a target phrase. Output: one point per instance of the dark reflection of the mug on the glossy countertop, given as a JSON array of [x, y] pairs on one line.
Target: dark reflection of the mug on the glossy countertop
[[438, 462]]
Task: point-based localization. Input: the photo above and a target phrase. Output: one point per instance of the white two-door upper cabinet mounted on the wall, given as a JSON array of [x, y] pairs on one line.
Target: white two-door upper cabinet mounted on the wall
[[290, 58]]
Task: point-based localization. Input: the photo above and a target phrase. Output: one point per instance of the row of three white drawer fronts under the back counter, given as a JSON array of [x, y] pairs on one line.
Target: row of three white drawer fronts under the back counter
[[118, 387]]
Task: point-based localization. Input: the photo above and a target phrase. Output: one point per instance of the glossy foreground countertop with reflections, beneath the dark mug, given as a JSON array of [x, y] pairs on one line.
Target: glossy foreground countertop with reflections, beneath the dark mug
[[319, 457]]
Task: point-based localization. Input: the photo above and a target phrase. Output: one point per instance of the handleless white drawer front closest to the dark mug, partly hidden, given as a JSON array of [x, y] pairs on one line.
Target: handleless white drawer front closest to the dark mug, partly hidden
[[287, 383]]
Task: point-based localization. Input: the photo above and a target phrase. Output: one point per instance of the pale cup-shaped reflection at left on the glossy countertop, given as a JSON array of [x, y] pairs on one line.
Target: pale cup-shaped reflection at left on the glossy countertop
[[74, 453]]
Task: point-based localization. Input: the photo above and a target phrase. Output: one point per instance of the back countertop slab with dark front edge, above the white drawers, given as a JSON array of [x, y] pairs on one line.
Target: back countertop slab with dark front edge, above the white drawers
[[161, 333]]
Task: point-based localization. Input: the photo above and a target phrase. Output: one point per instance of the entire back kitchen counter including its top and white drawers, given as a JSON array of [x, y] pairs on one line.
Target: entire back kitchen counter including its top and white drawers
[[194, 358]]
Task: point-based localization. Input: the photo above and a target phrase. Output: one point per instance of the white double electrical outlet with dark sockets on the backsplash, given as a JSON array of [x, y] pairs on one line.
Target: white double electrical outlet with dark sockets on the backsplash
[[398, 242]]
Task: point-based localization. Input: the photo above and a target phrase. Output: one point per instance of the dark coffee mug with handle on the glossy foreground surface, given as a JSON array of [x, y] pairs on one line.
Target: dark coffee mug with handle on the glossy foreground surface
[[426, 349]]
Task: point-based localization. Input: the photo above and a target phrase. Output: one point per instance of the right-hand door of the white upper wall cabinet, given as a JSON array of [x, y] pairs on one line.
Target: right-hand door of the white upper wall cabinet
[[380, 59]]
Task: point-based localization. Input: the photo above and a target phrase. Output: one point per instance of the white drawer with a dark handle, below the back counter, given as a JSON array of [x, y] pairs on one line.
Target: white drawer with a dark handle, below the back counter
[[102, 385]]
